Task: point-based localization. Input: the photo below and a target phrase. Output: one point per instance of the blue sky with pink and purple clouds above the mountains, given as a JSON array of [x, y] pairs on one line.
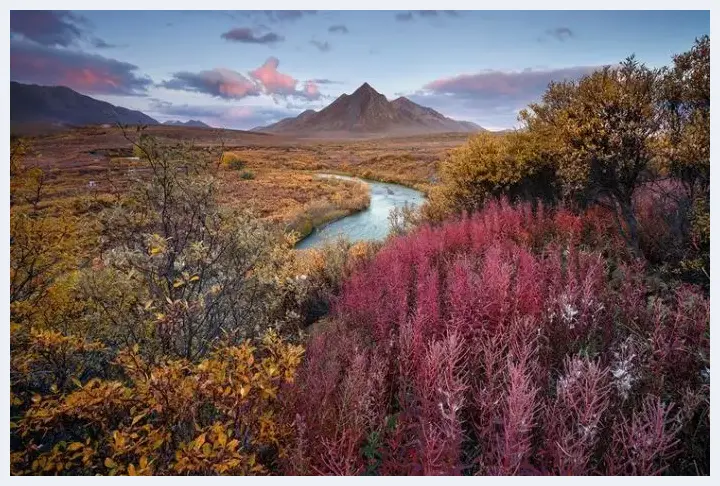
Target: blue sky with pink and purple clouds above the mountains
[[242, 69]]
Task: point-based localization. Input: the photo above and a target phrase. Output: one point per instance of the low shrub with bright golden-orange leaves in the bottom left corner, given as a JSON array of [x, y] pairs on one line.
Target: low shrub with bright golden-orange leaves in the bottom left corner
[[217, 416]]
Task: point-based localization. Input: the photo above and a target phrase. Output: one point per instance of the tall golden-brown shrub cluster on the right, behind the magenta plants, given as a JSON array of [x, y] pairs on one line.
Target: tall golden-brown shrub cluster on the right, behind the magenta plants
[[610, 139]]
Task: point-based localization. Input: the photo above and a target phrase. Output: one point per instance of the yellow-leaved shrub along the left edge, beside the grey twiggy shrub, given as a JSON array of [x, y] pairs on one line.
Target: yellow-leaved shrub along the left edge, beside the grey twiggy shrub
[[46, 248]]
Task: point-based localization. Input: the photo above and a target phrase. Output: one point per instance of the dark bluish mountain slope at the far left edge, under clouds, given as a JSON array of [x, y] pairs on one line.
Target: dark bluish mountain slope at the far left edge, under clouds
[[30, 103]]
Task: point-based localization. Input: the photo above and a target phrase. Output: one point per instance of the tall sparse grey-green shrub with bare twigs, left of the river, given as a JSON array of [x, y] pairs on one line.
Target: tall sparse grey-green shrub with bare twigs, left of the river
[[178, 271]]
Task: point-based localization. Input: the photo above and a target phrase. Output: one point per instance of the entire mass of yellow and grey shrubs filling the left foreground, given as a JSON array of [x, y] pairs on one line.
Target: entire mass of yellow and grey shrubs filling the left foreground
[[155, 349]]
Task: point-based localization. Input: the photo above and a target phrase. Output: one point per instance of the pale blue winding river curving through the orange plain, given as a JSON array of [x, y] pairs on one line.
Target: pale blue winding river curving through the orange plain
[[373, 222]]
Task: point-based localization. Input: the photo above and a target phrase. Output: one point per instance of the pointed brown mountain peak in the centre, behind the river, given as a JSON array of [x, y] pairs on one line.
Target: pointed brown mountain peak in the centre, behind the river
[[367, 112]]
